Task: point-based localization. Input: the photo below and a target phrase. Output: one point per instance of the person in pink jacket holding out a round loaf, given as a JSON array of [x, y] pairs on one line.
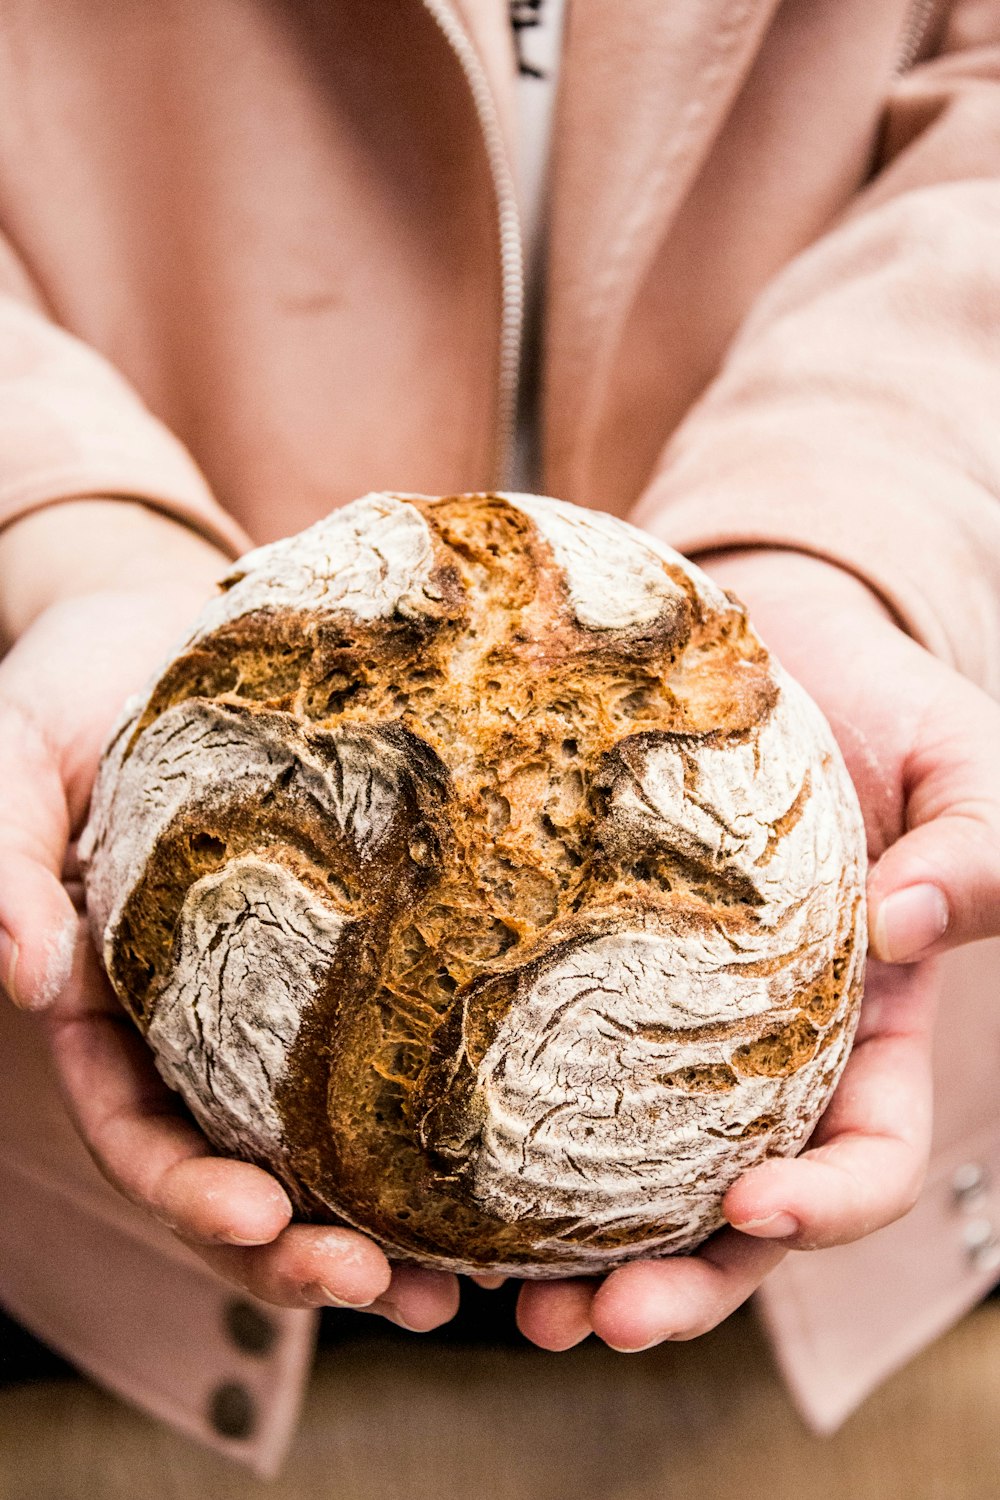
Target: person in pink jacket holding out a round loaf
[[259, 260]]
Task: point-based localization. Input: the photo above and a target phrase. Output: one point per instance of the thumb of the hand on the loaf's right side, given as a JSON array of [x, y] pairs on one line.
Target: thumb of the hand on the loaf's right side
[[939, 886]]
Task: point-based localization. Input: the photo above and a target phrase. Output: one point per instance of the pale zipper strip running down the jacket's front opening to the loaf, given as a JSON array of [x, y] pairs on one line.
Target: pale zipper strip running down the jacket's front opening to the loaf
[[512, 253]]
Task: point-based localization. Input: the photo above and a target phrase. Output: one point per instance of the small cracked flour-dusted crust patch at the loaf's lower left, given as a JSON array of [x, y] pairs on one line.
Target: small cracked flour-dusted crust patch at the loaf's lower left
[[253, 949]]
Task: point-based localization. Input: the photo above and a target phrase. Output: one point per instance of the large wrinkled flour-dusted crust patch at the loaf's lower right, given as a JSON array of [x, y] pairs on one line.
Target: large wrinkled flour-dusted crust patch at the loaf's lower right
[[578, 1108]]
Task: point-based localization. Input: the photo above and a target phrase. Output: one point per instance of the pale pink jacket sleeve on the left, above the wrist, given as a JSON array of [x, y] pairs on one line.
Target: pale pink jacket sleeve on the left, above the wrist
[[71, 427]]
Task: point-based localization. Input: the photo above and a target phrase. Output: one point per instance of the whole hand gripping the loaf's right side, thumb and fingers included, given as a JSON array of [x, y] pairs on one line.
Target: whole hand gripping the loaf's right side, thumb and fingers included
[[920, 743]]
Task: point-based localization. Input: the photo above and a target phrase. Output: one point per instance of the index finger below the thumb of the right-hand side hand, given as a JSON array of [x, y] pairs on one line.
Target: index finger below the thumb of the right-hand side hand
[[872, 1147]]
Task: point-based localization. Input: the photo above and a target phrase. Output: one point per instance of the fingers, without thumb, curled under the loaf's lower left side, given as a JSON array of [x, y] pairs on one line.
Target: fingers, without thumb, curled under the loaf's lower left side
[[230, 1213]]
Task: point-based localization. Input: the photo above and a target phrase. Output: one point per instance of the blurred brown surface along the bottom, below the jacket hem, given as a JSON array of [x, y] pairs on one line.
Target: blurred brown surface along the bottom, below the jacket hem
[[394, 1417]]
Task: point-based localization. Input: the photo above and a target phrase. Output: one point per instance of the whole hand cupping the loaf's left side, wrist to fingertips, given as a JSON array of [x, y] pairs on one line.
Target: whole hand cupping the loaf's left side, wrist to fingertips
[[62, 686]]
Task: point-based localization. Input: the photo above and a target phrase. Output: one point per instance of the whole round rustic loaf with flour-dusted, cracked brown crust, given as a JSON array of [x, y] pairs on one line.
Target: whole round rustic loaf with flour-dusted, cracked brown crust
[[475, 868]]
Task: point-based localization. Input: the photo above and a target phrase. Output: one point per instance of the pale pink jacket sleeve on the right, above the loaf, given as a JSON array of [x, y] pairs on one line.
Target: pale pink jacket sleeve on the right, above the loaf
[[858, 412]]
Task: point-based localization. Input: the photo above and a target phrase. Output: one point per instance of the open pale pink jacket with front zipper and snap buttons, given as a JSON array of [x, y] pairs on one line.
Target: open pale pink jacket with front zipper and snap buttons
[[260, 259]]
